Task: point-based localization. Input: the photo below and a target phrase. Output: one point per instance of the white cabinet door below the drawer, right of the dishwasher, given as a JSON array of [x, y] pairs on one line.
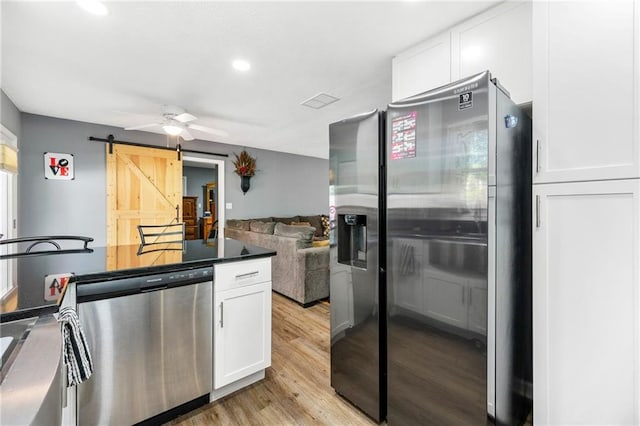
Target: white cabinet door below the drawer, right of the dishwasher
[[242, 332]]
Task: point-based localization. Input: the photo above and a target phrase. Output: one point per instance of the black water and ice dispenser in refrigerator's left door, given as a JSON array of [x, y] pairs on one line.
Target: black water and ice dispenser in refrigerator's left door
[[352, 240]]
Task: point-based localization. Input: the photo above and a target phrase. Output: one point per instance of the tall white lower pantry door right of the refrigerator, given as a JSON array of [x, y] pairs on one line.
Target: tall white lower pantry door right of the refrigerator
[[586, 291]]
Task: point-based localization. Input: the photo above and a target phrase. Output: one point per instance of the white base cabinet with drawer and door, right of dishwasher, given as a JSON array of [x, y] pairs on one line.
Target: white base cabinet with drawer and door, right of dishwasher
[[242, 320]]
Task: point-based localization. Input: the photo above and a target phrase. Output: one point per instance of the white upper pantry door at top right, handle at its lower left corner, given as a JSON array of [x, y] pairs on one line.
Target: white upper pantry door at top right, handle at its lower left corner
[[586, 85]]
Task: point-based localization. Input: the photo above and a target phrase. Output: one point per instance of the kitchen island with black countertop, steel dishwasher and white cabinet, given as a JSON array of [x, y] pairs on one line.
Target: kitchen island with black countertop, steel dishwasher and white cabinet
[[151, 323]]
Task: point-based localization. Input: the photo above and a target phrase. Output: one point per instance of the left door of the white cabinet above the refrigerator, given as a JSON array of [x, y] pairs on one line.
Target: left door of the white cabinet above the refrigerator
[[422, 68]]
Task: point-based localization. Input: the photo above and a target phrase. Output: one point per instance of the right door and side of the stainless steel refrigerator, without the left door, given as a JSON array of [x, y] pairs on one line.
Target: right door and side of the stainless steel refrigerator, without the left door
[[458, 194]]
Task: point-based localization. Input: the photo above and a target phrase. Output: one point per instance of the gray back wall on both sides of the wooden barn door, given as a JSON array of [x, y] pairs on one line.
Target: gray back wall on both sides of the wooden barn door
[[285, 184]]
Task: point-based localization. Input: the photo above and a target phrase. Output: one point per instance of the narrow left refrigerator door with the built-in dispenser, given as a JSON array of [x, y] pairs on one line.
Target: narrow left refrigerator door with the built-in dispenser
[[358, 357]]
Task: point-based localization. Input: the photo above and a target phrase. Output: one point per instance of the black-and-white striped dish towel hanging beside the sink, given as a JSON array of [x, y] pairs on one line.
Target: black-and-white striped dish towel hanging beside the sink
[[77, 358]]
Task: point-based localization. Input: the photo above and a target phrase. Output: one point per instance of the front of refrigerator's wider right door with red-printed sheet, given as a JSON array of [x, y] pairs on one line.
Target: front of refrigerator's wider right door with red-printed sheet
[[437, 149]]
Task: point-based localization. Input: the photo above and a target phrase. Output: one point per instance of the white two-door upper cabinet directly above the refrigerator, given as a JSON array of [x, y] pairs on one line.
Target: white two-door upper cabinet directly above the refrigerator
[[498, 40]]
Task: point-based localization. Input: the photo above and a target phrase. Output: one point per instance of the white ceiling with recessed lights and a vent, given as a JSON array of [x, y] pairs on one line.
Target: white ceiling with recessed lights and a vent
[[118, 70]]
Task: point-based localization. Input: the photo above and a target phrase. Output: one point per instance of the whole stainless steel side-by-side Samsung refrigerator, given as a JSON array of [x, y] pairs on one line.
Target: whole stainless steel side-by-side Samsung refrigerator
[[431, 258]]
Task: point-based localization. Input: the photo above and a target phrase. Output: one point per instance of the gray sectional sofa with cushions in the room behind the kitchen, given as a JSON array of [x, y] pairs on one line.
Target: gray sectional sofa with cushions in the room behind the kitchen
[[300, 271]]
